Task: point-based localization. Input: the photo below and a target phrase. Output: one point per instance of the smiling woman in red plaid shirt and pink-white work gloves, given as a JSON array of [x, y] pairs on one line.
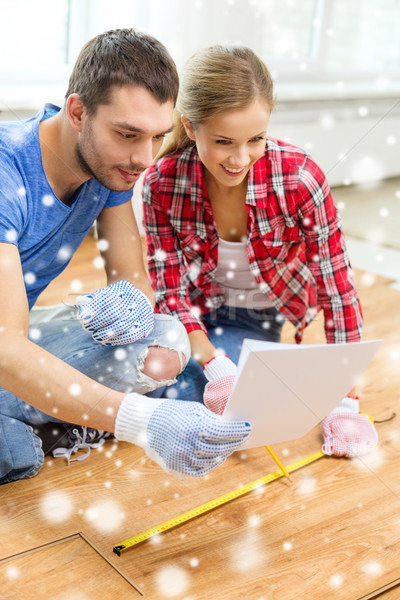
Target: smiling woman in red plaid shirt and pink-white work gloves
[[242, 233]]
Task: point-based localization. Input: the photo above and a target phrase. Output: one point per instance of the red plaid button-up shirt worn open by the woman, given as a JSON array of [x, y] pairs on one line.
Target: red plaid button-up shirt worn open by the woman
[[295, 246]]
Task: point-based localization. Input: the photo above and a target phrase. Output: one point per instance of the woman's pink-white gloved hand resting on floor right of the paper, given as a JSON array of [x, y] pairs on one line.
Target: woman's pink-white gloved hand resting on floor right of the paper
[[346, 432]]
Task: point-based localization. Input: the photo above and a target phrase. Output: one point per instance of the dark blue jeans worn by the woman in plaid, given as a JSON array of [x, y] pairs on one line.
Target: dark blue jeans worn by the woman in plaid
[[227, 327]]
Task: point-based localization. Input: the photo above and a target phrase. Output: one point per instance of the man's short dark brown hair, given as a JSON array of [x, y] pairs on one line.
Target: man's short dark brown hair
[[119, 57]]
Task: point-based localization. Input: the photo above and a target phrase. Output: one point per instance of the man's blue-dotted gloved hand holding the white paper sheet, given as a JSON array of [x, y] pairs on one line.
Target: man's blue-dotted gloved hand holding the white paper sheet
[[184, 438]]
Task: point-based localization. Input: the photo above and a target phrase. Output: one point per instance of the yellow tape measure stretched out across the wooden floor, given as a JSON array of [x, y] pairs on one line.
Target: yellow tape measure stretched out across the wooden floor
[[195, 512]]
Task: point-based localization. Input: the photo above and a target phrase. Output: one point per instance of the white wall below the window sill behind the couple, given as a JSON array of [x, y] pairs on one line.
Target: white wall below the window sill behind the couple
[[353, 141]]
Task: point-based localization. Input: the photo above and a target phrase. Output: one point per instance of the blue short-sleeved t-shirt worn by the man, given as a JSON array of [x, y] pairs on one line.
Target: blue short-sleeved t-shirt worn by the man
[[46, 231]]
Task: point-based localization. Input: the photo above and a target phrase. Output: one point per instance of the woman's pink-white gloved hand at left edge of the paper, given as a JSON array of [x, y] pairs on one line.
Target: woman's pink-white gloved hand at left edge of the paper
[[220, 372]]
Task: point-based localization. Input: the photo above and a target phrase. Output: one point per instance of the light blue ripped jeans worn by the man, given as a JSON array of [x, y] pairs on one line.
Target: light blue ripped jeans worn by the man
[[21, 453]]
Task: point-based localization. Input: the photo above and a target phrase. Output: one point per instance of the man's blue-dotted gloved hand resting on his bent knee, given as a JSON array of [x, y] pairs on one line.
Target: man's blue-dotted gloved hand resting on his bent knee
[[117, 314]]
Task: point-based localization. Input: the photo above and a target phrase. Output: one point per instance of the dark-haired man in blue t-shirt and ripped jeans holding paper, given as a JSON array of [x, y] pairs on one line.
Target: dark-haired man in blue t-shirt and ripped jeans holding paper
[[59, 171]]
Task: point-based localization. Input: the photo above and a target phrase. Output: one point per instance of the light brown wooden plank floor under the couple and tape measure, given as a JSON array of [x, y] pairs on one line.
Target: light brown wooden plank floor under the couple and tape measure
[[331, 534]]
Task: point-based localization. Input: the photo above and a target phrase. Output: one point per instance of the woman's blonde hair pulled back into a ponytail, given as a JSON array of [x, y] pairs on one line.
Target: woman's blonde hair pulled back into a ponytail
[[214, 80]]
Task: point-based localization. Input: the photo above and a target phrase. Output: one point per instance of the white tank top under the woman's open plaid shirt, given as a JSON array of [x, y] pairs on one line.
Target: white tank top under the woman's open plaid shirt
[[235, 279]]
